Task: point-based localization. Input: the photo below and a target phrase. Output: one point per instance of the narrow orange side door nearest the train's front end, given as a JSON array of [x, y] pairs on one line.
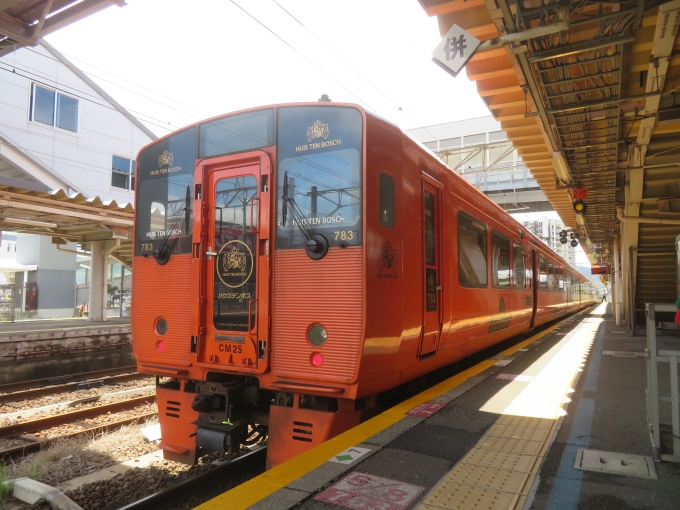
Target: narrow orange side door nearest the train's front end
[[431, 272]]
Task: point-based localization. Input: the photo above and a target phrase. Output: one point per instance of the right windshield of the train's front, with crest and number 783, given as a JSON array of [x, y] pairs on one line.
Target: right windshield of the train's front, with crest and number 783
[[319, 175]]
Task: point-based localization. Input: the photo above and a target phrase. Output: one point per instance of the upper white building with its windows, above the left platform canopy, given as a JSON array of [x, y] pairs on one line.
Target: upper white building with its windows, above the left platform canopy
[[60, 130]]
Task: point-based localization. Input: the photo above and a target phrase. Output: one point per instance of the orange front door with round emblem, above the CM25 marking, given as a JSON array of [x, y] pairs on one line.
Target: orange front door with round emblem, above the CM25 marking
[[236, 255]]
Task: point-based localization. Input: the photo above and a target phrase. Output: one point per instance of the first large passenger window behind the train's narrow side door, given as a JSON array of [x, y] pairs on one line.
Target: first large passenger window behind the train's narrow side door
[[472, 236]]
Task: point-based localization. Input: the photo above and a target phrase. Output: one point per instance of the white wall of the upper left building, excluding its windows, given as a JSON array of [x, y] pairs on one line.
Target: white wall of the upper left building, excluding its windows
[[81, 159]]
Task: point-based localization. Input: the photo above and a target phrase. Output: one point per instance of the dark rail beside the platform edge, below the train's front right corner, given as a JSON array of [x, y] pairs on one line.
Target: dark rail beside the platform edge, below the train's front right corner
[[170, 497]]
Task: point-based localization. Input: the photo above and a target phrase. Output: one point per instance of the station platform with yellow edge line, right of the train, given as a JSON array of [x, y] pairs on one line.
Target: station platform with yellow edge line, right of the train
[[535, 427]]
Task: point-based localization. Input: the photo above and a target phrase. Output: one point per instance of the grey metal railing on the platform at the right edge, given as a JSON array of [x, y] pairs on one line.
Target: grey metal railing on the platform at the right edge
[[655, 356]]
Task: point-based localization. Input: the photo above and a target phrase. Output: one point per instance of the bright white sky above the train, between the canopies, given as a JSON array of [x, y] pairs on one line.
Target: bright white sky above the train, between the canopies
[[173, 62]]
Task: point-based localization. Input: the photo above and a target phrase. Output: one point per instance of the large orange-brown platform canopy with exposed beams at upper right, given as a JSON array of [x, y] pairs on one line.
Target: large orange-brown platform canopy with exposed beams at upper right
[[588, 92]]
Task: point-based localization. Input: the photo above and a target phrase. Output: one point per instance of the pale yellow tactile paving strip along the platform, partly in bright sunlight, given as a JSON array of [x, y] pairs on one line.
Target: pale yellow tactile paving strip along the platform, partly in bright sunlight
[[499, 471]]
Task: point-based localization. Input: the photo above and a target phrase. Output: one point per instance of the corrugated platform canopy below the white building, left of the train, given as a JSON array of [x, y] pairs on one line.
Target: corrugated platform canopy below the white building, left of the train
[[68, 218]]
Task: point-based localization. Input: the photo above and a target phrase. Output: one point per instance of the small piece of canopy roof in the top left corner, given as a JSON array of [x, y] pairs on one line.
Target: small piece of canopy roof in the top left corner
[[23, 22]]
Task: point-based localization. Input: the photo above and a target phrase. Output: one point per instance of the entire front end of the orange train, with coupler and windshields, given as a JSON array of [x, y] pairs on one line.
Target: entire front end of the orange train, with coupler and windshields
[[247, 279]]
